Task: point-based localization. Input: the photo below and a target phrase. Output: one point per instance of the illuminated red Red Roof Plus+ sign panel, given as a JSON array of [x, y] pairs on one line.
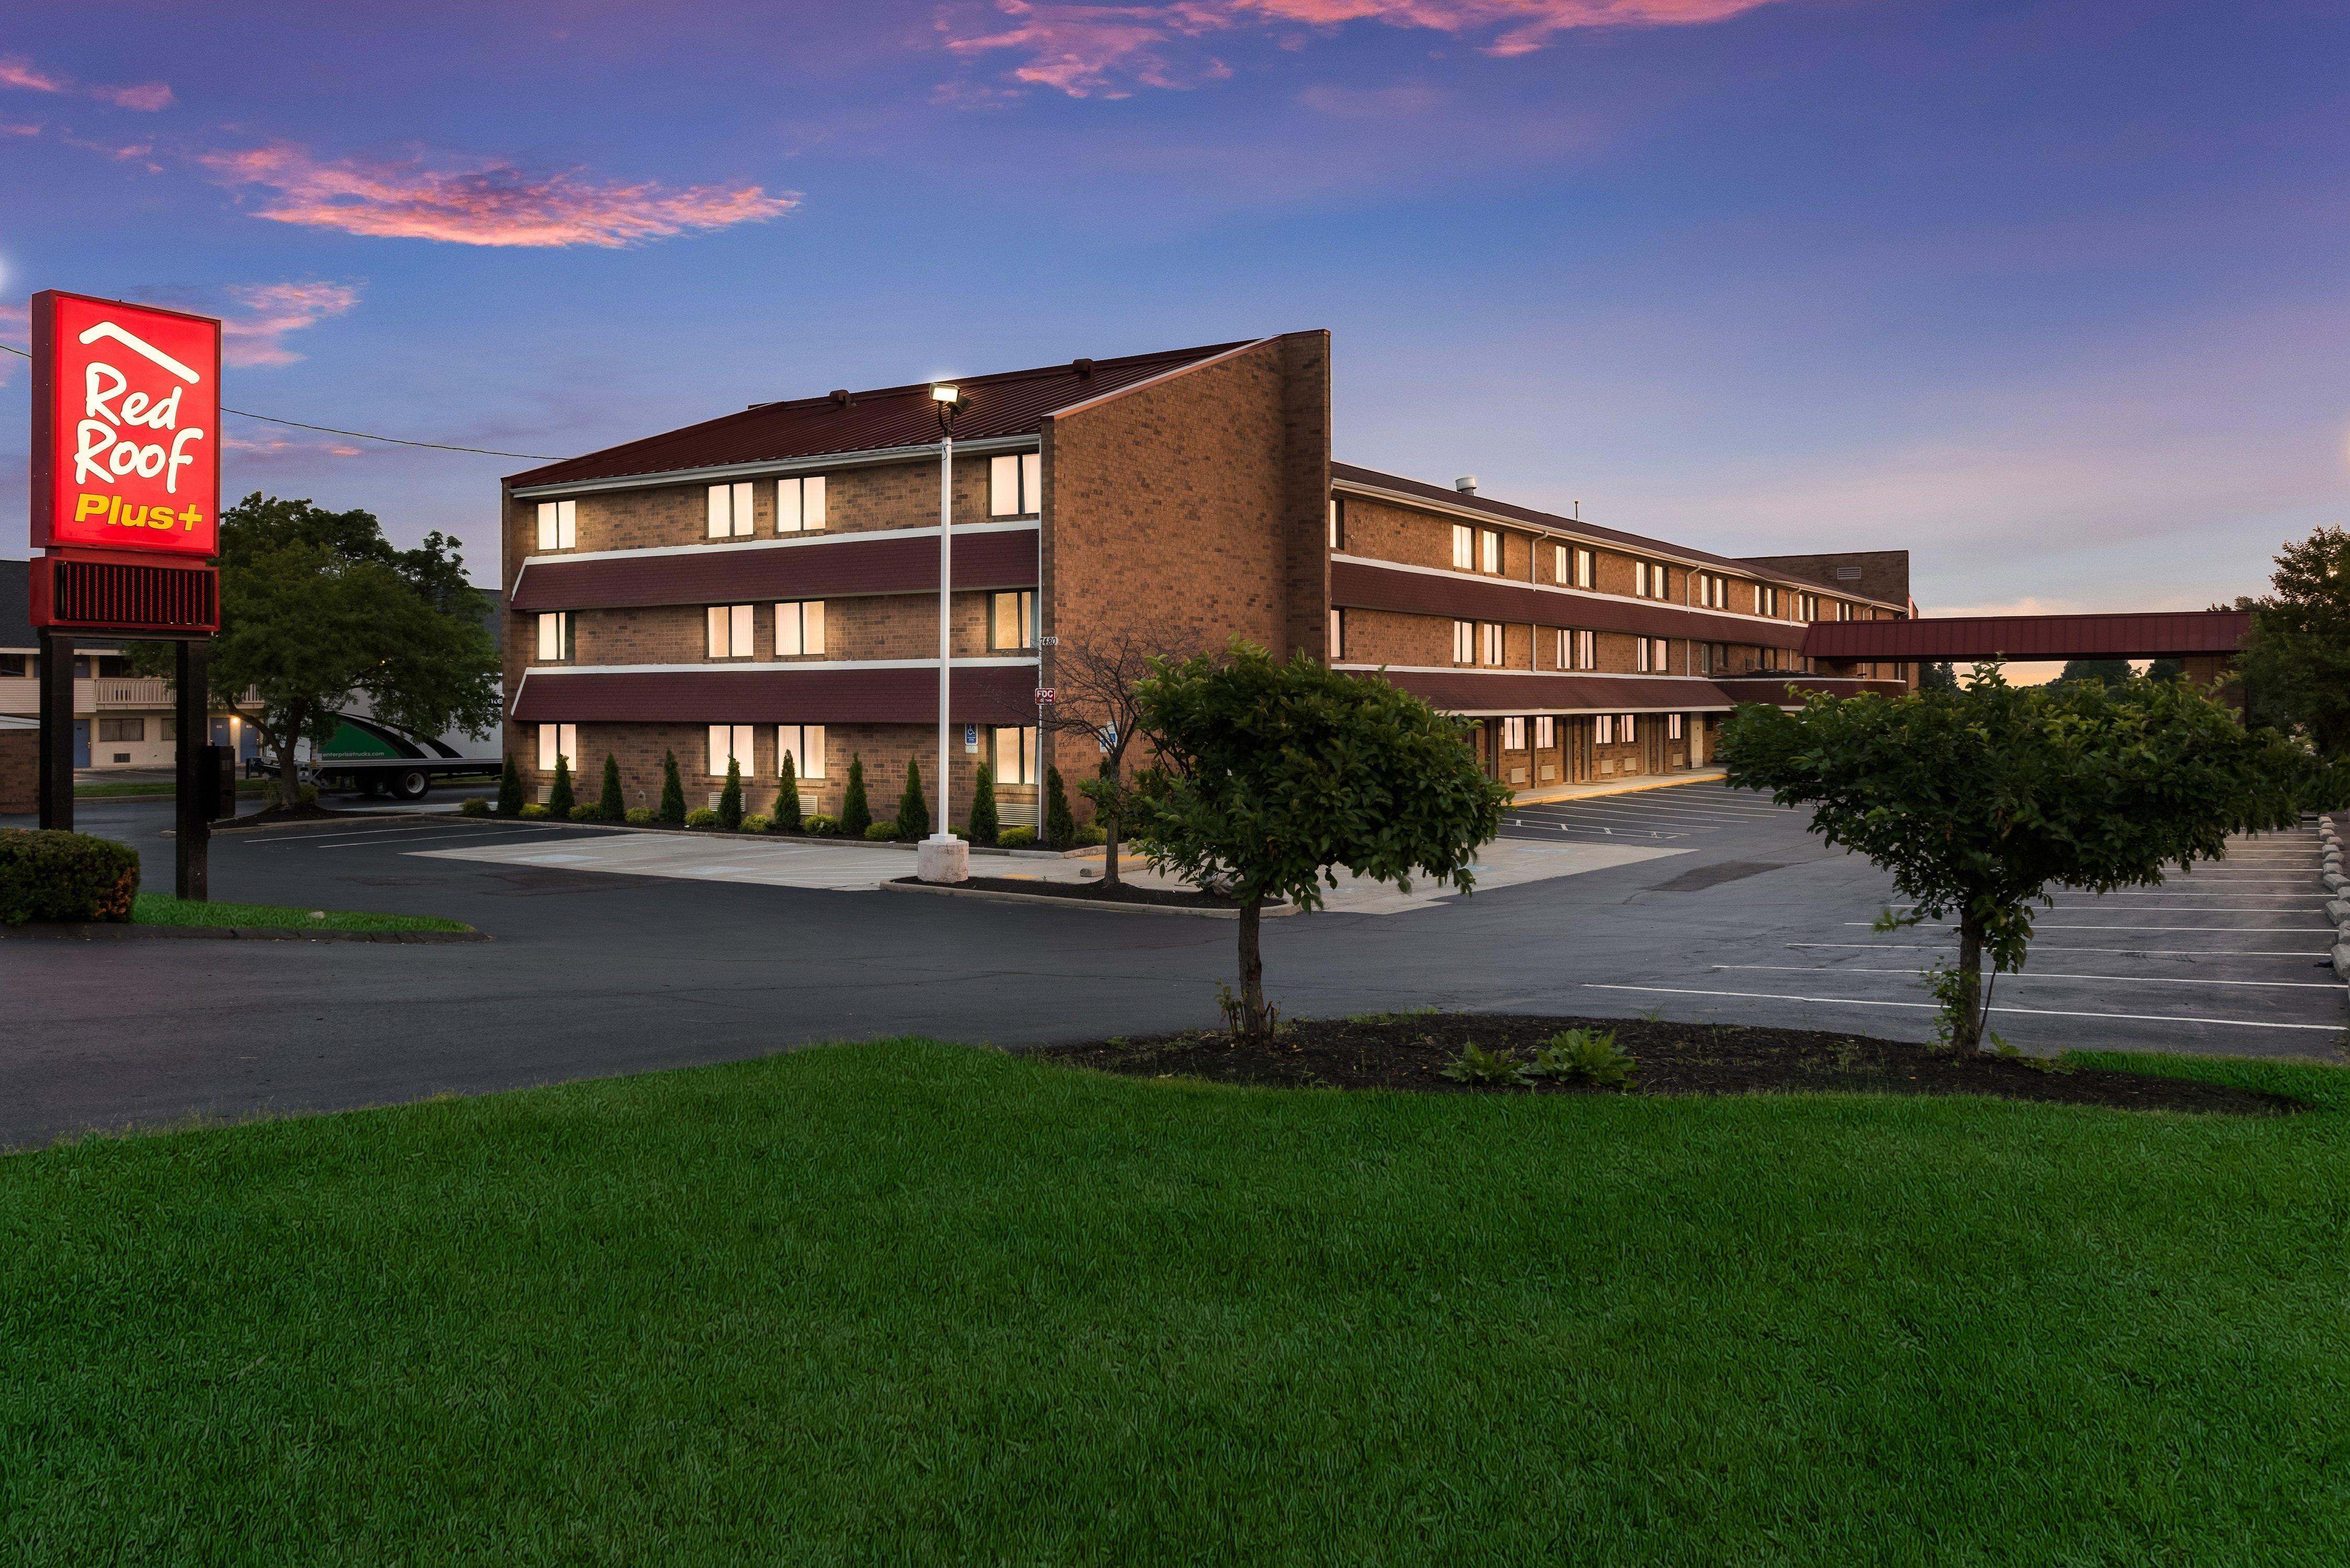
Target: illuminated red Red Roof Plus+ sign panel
[[126, 427]]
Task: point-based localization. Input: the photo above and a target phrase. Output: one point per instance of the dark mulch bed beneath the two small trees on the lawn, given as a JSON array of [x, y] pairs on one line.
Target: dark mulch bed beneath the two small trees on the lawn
[[1677, 1059]]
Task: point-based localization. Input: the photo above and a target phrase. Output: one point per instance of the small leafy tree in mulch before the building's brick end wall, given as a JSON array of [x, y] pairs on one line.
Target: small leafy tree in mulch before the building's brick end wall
[[1273, 775]]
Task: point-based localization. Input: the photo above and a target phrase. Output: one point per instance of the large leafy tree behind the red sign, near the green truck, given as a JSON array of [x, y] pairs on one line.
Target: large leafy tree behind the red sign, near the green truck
[[321, 610]]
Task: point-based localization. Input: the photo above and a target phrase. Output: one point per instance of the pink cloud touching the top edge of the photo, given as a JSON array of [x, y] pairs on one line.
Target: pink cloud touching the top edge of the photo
[[1106, 51]]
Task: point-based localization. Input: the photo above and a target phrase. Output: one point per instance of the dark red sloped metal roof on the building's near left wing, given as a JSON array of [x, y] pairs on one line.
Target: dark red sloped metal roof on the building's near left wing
[[1012, 403]]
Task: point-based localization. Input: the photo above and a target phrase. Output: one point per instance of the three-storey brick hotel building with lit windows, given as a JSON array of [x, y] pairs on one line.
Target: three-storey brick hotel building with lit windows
[[767, 584]]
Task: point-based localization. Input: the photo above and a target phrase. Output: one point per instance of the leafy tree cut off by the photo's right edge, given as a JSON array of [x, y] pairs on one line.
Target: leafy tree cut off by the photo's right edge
[[2297, 662]]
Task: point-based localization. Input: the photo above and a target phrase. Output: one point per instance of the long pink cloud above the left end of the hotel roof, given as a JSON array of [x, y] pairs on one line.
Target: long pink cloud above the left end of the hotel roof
[[485, 203]]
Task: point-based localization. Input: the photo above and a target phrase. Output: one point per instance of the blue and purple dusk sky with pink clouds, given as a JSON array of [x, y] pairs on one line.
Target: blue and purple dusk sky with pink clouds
[[2048, 293]]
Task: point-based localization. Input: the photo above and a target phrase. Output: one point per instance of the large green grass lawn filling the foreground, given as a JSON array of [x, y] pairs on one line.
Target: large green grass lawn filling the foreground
[[925, 1304]]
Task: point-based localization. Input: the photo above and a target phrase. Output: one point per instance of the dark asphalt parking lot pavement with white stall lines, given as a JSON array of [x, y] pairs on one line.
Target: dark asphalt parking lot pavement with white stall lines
[[1743, 918]]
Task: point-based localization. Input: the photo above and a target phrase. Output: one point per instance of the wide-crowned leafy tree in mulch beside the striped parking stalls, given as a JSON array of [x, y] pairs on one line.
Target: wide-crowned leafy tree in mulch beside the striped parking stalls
[[1985, 800]]
